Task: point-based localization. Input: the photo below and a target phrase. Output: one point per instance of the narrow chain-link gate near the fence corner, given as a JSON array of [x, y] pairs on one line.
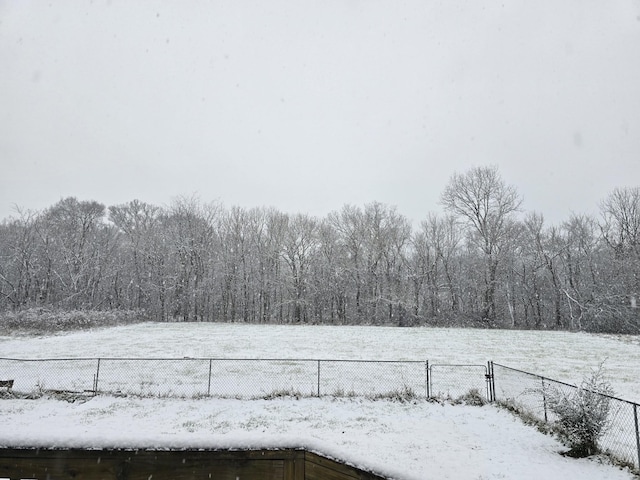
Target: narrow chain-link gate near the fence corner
[[455, 380]]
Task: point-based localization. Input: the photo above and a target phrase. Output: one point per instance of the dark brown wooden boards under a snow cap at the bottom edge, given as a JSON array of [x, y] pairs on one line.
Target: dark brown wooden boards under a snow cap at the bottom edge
[[76, 464]]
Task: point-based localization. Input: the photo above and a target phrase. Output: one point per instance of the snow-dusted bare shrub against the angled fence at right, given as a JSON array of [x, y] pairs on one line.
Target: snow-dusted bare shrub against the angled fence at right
[[582, 413]]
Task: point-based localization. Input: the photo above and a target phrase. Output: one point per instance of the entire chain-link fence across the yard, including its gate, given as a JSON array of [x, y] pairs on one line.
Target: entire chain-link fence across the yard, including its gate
[[269, 378]]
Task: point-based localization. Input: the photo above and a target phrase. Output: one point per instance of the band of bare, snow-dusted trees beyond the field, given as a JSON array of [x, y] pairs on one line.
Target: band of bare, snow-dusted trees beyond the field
[[481, 262]]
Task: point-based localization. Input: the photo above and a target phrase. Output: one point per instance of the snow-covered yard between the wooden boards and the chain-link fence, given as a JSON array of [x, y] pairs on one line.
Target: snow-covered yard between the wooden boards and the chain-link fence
[[408, 441]]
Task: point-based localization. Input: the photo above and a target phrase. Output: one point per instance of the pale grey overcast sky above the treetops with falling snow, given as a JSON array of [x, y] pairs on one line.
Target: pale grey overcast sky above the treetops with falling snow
[[307, 105]]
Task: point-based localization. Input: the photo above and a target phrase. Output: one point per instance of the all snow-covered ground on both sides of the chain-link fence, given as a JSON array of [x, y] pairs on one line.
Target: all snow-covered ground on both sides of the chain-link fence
[[411, 440]]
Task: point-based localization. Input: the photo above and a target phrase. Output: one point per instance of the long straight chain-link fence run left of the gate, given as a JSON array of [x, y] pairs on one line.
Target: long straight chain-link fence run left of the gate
[[226, 378]]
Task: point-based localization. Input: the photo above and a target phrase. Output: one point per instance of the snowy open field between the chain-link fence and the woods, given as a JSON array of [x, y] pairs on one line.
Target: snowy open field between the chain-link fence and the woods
[[560, 355]]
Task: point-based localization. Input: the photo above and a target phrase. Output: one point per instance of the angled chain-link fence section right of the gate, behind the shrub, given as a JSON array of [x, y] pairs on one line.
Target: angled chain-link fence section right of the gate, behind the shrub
[[528, 393]]
